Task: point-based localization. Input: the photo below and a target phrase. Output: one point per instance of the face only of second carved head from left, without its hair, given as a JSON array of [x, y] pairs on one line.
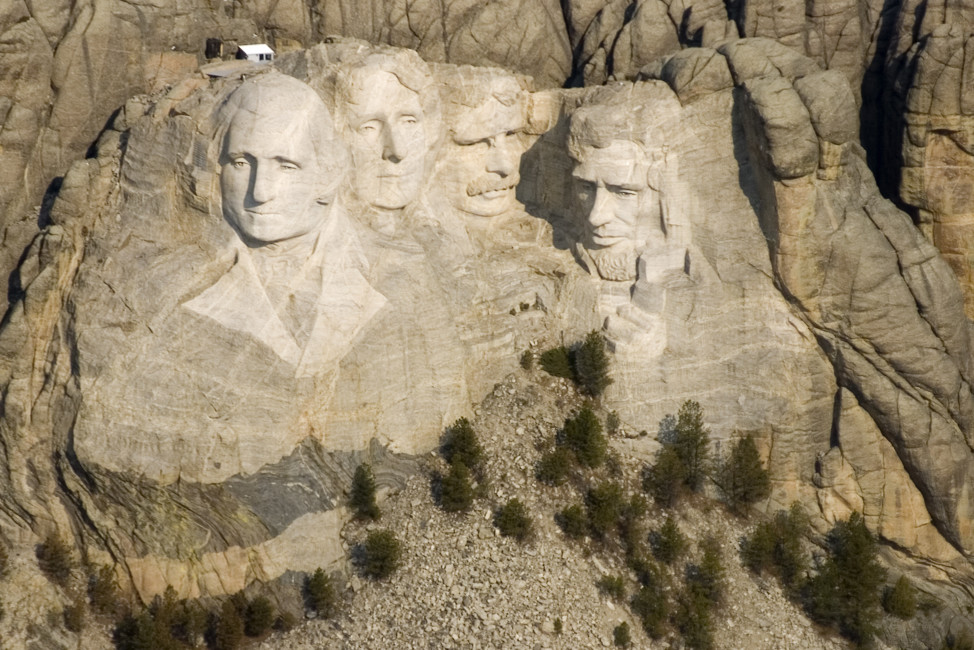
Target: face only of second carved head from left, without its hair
[[387, 139]]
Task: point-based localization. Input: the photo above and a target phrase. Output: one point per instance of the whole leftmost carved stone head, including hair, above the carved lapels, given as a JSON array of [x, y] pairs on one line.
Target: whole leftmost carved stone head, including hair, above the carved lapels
[[281, 162]]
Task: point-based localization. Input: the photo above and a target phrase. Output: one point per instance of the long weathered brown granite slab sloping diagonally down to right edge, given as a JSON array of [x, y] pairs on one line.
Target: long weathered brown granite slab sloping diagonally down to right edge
[[911, 371]]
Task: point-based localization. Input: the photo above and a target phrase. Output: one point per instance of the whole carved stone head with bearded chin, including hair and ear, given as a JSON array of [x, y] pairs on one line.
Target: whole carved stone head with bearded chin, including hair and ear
[[619, 148]]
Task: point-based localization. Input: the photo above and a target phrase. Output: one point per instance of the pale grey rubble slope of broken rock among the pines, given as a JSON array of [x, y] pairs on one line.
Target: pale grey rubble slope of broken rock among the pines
[[462, 585]]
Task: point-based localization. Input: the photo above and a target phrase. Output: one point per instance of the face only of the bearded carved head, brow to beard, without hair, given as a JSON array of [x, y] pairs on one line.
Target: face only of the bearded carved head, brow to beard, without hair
[[615, 203]]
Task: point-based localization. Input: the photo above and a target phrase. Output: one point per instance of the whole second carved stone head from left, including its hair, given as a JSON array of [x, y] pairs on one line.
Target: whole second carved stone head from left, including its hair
[[389, 112]]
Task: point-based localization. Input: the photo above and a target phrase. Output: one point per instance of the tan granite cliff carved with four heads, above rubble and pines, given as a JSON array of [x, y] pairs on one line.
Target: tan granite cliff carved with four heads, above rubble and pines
[[255, 282]]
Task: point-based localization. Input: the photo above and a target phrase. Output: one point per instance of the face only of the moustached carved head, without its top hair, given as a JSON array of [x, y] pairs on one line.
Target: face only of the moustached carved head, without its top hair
[[480, 162]]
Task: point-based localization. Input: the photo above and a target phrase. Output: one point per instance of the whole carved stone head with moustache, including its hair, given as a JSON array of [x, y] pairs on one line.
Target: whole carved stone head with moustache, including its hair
[[485, 111]]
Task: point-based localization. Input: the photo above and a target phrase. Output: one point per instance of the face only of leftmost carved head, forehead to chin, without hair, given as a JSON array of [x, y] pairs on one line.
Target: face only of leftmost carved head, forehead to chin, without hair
[[270, 179]]
